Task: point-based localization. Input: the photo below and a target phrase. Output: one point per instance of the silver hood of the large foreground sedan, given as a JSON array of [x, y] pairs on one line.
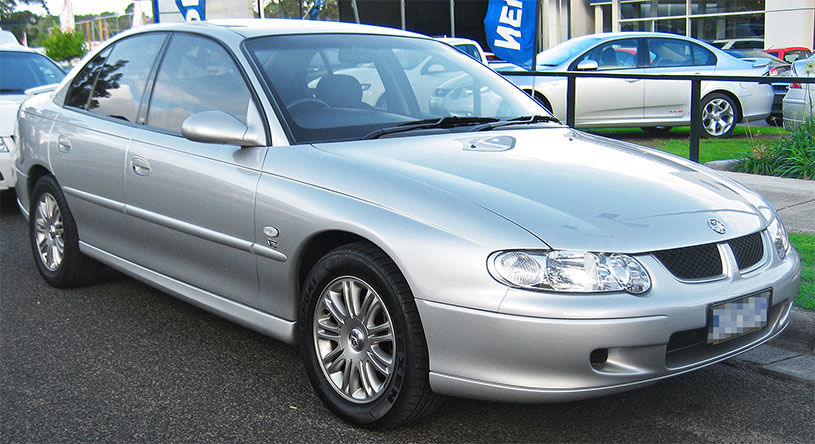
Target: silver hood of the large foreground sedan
[[572, 190]]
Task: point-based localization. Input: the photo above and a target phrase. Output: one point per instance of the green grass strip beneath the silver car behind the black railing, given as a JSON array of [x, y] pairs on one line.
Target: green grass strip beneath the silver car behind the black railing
[[677, 141]]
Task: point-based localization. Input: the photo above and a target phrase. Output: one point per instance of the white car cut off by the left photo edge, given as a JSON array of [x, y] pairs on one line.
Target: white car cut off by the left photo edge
[[21, 69]]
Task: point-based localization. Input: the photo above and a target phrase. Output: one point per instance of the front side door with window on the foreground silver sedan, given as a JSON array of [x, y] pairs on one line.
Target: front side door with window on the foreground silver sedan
[[191, 204]]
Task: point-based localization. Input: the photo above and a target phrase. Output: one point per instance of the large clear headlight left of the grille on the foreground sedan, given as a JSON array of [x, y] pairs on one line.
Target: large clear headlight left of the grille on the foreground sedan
[[564, 270]]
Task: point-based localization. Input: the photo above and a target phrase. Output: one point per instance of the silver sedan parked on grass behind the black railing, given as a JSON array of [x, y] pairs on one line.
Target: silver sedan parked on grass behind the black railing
[[654, 105]]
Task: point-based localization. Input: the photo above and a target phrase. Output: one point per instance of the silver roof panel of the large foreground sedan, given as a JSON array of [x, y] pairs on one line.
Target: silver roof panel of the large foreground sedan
[[249, 28]]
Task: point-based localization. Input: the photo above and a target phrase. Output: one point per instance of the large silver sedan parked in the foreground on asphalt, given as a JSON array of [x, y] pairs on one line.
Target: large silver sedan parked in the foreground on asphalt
[[291, 176]]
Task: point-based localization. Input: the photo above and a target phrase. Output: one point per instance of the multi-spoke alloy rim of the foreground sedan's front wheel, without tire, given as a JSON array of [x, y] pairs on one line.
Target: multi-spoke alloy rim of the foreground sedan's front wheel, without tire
[[354, 339]]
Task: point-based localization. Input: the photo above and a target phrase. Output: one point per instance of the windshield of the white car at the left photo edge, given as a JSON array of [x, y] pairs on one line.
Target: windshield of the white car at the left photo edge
[[20, 71]]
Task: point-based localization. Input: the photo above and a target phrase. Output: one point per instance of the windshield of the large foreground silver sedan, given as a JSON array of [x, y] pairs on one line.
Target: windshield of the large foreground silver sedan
[[344, 87]]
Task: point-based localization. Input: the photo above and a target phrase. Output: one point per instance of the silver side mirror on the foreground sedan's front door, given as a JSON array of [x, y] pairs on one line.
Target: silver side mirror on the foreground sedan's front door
[[220, 127]]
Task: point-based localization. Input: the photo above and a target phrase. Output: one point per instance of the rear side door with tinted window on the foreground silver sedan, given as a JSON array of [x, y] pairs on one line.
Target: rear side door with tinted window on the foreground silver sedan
[[91, 137]]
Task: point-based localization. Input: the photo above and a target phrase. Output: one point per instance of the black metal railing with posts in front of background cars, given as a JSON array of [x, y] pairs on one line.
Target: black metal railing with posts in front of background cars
[[695, 91]]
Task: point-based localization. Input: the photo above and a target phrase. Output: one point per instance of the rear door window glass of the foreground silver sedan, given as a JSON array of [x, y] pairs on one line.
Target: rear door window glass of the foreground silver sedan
[[120, 85]]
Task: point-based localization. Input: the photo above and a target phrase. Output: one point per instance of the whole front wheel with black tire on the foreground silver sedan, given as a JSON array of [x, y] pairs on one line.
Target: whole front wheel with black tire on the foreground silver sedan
[[326, 333]]
